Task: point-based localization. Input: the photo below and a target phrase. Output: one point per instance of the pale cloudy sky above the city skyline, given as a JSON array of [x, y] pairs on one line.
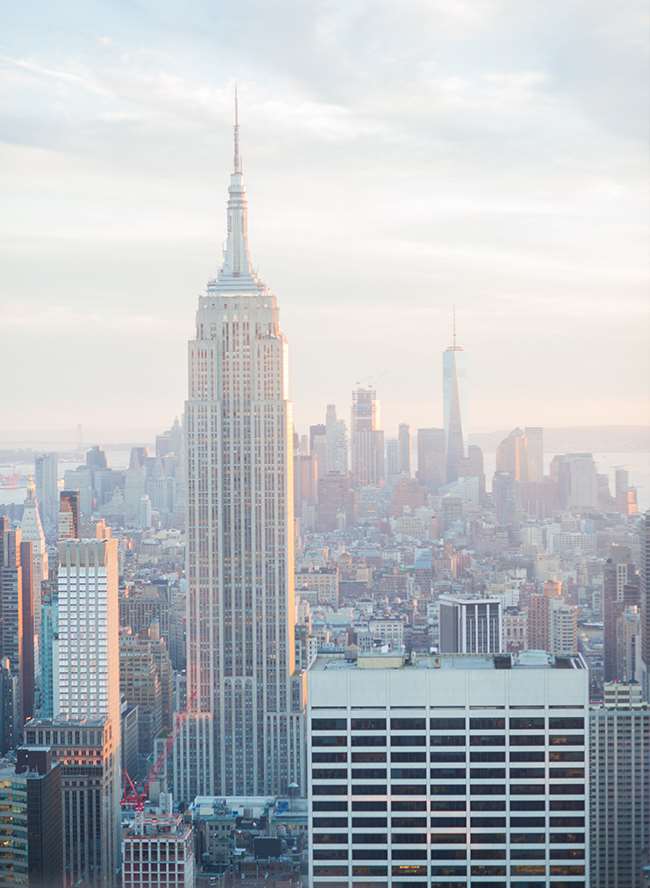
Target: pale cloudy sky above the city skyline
[[400, 159]]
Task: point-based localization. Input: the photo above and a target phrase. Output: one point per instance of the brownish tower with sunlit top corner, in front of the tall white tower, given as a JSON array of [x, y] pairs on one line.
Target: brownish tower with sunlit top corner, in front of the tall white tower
[[89, 756]]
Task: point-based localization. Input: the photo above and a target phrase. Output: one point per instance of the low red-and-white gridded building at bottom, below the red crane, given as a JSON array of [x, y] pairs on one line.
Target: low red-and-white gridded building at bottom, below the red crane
[[158, 849]]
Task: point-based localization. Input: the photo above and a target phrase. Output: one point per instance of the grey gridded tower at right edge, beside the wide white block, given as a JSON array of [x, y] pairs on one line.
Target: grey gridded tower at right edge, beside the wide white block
[[619, 787]]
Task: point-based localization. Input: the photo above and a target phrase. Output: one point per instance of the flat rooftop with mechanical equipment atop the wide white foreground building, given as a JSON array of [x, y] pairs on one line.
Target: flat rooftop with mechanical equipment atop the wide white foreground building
[[459, 662]]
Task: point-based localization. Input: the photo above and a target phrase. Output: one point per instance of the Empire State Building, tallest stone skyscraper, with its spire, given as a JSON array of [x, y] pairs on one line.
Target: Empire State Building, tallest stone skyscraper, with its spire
[[240, 559]]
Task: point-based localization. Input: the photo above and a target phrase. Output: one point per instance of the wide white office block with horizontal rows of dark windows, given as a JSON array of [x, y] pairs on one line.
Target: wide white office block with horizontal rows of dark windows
[[448, 771]]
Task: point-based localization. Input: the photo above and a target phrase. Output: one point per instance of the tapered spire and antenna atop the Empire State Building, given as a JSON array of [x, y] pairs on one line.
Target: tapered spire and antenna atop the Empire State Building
[[236, 273]]
